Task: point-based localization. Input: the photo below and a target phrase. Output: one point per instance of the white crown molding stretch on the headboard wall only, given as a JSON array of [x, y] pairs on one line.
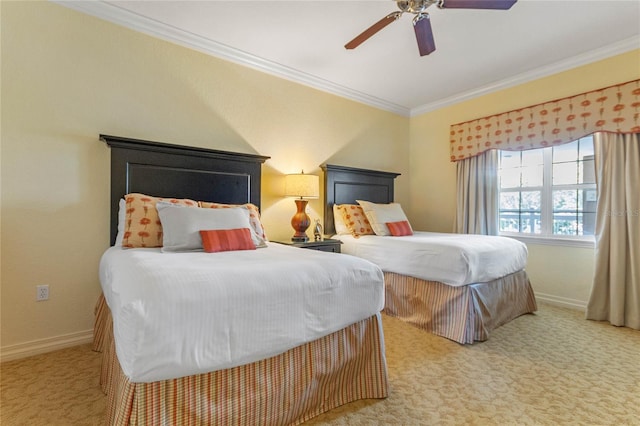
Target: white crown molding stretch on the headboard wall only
[[116, 15]]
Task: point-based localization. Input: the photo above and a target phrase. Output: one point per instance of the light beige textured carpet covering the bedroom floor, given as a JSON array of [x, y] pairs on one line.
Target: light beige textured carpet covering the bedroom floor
[[551, 368]]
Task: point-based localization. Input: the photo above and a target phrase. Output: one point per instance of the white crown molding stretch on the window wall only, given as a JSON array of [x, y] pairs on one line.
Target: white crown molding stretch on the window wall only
[[618, 48]]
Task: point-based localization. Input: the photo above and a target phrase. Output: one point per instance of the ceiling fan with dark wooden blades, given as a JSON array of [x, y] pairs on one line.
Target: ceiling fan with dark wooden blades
[[421, 22]]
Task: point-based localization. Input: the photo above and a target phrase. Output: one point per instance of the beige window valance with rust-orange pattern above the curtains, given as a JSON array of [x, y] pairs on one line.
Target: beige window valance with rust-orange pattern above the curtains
[[612, 109]]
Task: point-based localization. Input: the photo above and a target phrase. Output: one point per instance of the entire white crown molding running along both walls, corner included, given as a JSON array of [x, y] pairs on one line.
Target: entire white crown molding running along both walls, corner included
[[112, 13]]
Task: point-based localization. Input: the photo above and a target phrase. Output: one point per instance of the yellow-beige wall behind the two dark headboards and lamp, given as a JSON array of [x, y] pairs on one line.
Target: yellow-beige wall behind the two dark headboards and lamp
[[67, 77]]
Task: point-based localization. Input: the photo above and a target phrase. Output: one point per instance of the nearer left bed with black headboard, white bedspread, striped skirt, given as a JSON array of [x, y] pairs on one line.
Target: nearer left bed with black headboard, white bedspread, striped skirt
[[192, 338]]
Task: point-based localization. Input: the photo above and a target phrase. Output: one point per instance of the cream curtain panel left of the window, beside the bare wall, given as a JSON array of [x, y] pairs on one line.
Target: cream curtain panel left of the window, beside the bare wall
[[477, 199]]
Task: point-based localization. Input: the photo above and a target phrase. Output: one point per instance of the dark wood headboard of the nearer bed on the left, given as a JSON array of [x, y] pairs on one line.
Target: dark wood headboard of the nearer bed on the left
[[175, 171]]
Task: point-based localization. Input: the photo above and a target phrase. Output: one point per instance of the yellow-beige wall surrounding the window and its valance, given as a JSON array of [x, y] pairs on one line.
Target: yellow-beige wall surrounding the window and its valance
[[558, 274]]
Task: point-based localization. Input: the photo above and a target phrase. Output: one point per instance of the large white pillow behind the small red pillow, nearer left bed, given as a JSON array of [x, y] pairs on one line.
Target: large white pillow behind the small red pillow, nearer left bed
[[181, 225]]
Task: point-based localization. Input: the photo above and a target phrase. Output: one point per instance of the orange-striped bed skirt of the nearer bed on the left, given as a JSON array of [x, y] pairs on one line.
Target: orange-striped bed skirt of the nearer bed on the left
[[286, 389]]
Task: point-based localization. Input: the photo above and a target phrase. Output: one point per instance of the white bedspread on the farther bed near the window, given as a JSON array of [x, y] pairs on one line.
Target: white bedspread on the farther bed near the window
[[454, 259]]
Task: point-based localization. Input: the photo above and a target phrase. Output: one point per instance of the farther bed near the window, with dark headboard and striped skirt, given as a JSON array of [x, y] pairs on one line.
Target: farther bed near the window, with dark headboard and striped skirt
[[454, 298]]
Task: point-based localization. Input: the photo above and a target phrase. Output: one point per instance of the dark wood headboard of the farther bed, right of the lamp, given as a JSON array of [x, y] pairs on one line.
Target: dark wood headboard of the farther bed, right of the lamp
[[345, 185]]
